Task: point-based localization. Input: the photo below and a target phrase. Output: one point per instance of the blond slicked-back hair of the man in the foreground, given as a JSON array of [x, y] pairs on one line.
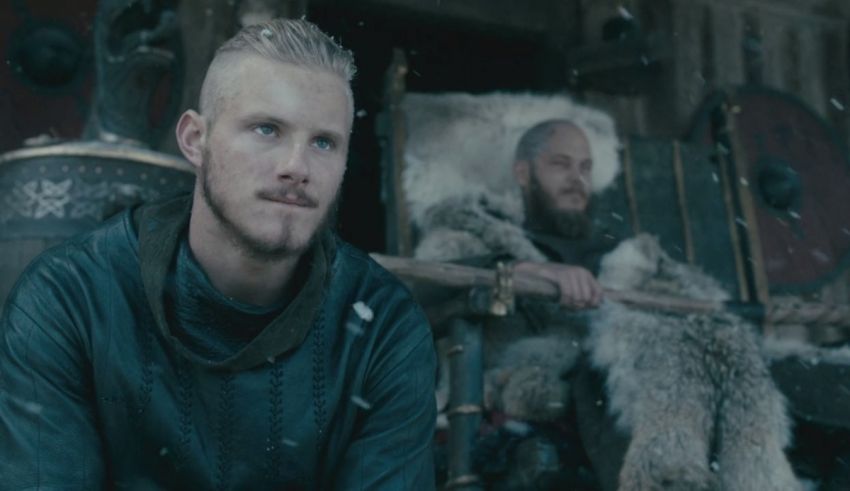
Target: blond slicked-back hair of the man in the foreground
[[294, 41]]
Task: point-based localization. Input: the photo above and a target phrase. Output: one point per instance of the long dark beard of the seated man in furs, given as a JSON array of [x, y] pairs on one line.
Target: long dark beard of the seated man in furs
[[542, 215]]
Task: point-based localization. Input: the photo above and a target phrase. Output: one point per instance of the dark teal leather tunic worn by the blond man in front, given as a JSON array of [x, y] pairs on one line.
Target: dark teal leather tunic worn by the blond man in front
[[98, 390]]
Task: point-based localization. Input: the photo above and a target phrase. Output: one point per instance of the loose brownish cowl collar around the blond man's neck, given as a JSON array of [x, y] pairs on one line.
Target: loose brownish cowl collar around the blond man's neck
[[160, 226]]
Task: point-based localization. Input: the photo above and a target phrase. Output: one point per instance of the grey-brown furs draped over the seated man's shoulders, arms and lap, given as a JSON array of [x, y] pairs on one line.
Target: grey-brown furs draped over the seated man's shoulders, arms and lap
[[693, 392]]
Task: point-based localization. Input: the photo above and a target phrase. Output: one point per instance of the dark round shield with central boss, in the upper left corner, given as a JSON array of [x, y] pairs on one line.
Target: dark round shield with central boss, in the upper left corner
[[47, 75]]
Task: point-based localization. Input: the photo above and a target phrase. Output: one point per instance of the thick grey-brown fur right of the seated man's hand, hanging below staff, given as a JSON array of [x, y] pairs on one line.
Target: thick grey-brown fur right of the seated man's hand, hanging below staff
[[694, 392]]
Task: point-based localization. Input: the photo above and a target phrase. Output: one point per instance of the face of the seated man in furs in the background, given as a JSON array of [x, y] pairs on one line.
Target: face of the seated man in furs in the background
[[562, 171]]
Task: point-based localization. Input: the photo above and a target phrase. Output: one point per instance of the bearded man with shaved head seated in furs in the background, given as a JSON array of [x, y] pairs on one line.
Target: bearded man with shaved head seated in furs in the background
[[660, 401]]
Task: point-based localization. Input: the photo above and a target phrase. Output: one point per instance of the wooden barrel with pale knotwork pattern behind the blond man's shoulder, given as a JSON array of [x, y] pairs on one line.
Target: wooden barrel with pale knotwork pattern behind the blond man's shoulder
[[52, 192]]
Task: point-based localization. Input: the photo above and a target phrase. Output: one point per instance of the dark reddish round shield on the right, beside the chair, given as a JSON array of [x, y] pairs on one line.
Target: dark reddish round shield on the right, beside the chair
[[795, 170]]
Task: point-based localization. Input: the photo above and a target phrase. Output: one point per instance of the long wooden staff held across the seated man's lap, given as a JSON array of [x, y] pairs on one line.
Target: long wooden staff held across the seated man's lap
[[459, 276]]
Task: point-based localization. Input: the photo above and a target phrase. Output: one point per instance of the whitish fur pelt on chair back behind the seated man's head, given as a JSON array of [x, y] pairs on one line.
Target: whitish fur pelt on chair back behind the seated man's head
[[462, 144]]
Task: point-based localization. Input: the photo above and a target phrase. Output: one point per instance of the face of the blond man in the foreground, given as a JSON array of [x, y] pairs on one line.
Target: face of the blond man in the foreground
[[274, 156]]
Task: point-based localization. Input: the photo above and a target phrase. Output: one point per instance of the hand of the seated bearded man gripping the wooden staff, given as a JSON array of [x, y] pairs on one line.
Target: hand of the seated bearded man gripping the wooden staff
[[578, 287]]
